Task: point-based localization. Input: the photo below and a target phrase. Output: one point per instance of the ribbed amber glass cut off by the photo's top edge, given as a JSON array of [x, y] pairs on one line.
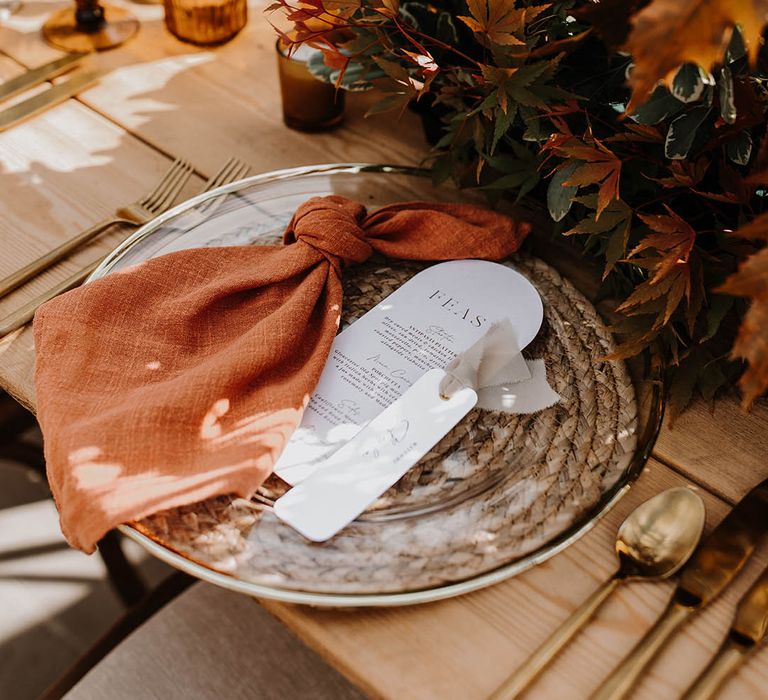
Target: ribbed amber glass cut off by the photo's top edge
[[205, 22]]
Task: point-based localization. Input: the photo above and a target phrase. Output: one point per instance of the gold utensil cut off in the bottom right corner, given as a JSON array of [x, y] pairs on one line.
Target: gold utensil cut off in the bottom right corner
[[747, 633]]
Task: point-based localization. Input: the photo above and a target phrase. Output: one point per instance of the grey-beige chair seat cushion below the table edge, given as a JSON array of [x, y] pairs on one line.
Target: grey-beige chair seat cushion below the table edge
[[212, 643]]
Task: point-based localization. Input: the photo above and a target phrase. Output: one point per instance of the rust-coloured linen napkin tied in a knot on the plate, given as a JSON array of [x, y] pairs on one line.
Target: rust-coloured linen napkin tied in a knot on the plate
[[183, 377]]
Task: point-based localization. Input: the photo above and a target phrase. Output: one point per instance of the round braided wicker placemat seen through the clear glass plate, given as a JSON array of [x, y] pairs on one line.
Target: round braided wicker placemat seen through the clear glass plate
[[496, 488]]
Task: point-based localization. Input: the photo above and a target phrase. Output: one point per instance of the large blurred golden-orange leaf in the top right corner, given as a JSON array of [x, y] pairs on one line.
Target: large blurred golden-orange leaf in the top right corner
[[668, 33]]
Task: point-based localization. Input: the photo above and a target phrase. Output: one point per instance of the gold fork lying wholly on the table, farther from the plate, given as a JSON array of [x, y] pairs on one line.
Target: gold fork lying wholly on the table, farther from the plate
[[139, 212]]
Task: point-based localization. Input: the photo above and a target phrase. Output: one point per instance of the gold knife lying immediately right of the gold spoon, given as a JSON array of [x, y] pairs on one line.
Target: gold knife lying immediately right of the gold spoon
[[712, 567]]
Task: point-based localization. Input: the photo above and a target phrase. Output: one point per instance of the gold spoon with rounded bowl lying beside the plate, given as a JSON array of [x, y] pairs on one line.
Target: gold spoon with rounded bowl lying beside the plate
[[655, 540]]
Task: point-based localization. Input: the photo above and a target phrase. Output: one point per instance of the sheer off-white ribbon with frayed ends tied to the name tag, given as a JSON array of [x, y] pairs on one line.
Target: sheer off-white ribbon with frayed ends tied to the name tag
[[503, 379]]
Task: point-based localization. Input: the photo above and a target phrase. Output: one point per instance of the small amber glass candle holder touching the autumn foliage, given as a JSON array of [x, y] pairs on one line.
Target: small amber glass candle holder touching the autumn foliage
[[308, 103]]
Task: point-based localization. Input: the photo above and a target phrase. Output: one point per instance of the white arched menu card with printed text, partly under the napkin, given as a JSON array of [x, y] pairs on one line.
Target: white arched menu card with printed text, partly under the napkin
[[421, 326]]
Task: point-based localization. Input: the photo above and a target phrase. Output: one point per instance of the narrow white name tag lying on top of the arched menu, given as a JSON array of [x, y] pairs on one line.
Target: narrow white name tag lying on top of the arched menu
[[362, 469]]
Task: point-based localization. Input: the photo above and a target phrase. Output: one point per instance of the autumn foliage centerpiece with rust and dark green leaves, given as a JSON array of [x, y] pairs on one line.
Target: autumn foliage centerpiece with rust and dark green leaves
[[640, 122]]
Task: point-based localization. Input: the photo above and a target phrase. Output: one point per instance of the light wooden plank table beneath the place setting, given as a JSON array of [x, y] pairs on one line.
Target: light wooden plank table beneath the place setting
[[161, 99]]
